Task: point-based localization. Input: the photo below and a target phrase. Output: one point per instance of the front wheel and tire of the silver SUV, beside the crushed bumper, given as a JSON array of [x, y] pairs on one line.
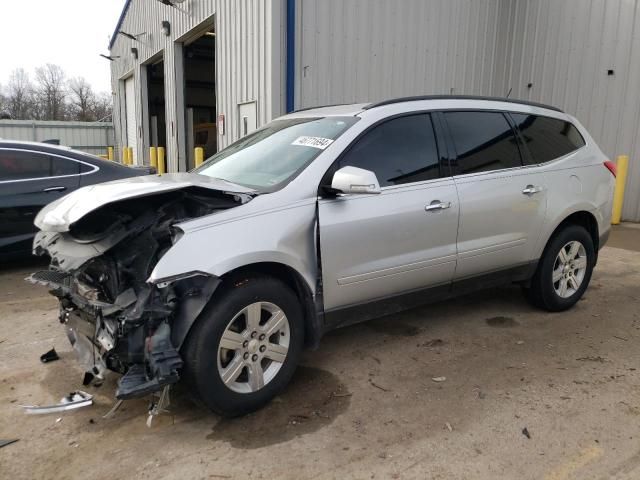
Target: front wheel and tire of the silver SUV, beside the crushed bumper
[[245, 347]]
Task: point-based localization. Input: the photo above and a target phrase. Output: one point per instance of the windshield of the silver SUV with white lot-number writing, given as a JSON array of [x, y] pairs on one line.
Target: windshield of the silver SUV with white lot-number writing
[[269, 158]]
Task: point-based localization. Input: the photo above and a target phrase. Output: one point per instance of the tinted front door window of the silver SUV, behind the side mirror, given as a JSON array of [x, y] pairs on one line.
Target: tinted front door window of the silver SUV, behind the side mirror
[[400, 150]]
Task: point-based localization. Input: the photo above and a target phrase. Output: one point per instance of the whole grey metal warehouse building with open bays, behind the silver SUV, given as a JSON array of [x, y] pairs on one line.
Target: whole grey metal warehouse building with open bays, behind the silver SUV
[[189, 73]]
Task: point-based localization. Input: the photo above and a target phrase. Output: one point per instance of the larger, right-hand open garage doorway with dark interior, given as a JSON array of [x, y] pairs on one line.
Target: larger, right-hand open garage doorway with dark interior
[[200, 95]]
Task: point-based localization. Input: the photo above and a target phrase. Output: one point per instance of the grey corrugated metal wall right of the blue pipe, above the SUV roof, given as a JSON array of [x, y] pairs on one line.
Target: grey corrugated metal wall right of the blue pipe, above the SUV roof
[[367, 50]]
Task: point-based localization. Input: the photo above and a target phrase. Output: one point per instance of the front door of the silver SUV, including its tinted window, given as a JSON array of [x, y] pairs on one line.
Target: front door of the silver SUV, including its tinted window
[[402, 240]]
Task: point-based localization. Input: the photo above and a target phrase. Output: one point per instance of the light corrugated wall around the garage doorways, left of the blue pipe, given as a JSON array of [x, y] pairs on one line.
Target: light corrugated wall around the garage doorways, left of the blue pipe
[[248, 63]]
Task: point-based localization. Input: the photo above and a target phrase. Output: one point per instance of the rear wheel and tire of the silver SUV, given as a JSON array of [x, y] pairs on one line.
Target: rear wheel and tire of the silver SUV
[[564, 271]]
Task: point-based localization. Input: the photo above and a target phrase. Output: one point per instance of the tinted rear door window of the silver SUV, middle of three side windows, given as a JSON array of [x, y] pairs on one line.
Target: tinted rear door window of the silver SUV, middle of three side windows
[[484, 141]]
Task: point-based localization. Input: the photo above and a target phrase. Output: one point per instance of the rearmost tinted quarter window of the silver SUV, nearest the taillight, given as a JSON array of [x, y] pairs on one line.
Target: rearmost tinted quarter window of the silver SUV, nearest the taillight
[[547, 138]]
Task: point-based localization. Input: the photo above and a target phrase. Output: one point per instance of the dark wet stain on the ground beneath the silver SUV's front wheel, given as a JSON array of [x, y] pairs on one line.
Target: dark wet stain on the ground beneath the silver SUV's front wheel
[[313, 400]]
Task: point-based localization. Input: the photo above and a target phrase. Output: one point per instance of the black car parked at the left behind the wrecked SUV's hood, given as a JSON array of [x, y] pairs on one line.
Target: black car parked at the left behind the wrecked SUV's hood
[[34, 174]]
